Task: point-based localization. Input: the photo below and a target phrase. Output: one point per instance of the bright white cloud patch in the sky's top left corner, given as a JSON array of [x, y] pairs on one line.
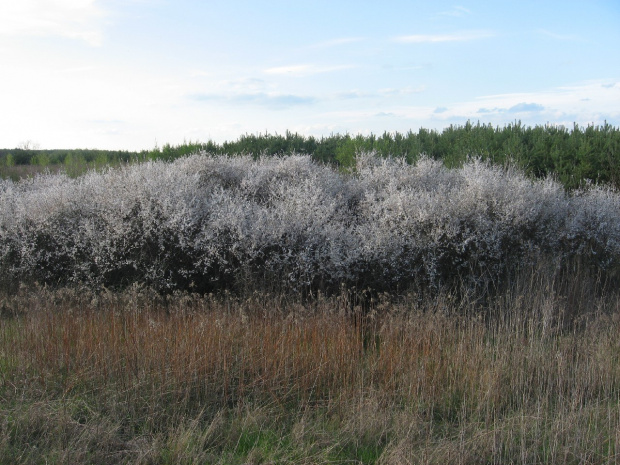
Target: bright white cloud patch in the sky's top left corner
[[74, 19]]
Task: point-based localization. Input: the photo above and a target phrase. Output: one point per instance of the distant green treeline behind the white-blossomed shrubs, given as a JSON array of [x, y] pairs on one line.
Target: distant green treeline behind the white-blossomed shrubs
[[575, 156]]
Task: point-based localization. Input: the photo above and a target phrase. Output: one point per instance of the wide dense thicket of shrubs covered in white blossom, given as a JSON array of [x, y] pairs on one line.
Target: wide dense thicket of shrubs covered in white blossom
[[212, 223]]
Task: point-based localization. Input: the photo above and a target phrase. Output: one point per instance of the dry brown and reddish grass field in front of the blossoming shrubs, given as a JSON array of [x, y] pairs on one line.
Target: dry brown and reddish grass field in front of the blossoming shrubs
[[138, 378]]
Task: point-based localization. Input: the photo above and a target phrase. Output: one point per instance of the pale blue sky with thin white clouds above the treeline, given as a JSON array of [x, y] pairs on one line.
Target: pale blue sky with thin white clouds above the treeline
[[136, 74]]
